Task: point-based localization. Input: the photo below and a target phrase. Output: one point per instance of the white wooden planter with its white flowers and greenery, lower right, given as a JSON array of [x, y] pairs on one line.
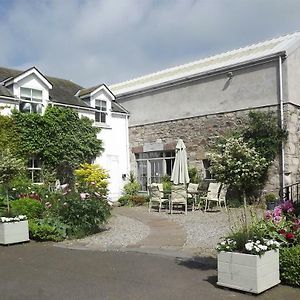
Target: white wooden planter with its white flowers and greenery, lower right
[[248, 262]]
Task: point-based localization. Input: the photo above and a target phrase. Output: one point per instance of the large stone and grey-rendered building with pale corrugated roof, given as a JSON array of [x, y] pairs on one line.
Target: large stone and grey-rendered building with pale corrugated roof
[[201, 100]]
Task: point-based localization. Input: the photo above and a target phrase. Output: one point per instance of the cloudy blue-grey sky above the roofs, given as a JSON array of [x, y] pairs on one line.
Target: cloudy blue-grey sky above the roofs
[[109, 41]]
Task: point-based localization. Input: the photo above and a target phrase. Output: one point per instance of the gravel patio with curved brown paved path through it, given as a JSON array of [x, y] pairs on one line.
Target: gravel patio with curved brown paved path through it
[[135, 229]]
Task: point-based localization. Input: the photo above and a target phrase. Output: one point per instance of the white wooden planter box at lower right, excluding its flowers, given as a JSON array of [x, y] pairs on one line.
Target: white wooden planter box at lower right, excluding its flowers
[[247, 272]]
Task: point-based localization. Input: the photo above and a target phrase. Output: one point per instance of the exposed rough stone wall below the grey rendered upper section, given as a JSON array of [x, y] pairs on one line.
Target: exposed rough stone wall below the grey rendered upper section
[[198, 134]]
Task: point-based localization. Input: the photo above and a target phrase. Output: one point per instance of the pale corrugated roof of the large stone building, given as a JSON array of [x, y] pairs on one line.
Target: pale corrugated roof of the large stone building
[[227, 59]]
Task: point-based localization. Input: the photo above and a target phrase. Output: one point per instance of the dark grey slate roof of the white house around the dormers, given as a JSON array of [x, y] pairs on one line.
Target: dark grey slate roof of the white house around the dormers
[[63, 90]]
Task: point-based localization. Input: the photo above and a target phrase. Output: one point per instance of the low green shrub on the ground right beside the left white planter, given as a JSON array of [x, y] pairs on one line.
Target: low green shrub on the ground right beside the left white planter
[[47, 230]]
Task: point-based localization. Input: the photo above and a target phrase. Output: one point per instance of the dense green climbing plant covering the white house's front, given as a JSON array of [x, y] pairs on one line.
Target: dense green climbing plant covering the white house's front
[[60, 138]]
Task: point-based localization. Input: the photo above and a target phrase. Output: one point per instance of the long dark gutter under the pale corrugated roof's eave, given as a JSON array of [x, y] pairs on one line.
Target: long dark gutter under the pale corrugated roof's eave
[[203, 75]]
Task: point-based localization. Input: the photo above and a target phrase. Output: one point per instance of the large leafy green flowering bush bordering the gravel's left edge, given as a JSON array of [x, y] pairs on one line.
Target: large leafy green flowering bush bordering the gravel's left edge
[[83, 216]]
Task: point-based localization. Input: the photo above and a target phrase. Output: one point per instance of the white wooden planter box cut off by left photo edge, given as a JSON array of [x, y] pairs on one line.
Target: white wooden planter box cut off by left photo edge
[[14, 232]]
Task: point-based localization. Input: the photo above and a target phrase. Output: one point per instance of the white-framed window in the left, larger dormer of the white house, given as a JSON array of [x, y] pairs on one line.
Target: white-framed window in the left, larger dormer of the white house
[[32, 100]]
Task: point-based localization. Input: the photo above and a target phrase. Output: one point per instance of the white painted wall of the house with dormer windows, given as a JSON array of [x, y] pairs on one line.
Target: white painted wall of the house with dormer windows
[[114, 134]]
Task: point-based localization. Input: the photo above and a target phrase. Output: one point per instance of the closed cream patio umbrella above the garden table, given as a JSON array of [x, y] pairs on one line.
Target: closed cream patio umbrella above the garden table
[[180, 173]]
